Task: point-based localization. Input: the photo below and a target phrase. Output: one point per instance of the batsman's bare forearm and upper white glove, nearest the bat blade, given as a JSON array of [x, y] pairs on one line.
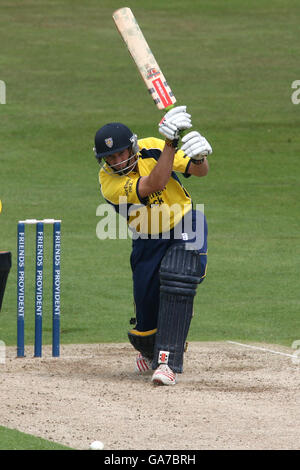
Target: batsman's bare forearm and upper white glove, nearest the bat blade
[[174, 121]]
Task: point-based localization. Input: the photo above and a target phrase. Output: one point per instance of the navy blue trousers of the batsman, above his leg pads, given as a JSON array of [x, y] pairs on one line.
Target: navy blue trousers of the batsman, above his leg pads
[[145, 262]]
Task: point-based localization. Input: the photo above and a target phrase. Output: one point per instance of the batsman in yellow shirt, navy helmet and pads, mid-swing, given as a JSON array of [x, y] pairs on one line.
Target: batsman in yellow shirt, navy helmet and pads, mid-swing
[[169, 237]]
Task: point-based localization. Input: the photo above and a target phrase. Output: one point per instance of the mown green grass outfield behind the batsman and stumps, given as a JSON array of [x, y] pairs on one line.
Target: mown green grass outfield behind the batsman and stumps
[[67, 72]]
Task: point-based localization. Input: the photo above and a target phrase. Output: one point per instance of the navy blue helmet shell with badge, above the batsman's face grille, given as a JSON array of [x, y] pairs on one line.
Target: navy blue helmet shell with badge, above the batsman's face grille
[[114, 137]]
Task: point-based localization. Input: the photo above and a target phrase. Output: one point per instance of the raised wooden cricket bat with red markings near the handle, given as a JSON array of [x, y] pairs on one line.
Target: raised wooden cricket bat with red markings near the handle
[[145, 61]]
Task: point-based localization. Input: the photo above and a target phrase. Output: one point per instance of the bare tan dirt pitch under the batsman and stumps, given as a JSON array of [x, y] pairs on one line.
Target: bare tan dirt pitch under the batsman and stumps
[[228, 397]]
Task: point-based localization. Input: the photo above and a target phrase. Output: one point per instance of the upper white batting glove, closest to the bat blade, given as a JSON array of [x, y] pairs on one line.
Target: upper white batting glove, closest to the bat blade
[[174, 121]]
